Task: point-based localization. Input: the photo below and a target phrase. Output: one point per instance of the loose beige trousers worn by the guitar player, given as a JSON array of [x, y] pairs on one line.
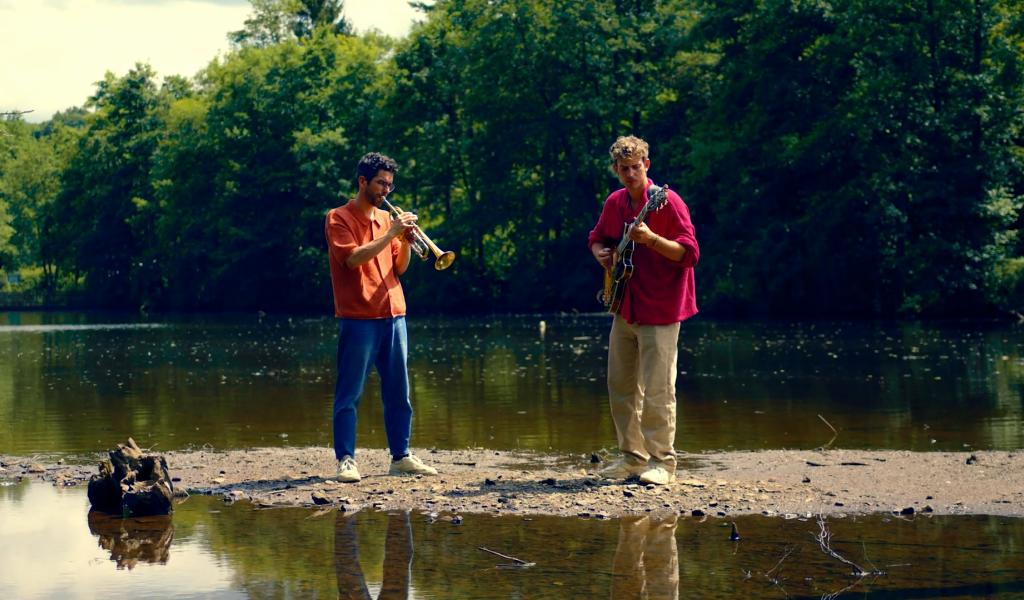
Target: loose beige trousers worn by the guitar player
[[643, 391]]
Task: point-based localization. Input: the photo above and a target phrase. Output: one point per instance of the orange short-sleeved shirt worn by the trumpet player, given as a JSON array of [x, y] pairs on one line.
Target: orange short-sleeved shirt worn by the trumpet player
[[371, 290]]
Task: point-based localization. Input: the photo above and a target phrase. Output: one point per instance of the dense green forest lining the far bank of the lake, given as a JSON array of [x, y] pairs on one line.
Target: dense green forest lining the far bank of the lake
[[857, 158]]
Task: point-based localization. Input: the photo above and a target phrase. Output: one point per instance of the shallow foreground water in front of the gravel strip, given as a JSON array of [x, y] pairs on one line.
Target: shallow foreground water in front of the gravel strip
[[48, 550]]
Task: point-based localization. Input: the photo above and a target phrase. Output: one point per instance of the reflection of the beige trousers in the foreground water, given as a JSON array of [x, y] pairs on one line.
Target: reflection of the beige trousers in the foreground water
[[647, 564]]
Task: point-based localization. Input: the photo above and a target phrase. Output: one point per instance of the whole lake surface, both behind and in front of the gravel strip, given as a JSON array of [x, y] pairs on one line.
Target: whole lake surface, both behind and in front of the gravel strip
[[73, 385]]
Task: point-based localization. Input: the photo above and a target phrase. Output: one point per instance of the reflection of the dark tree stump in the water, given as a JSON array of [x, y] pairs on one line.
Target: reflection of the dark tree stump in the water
[[134, 540]]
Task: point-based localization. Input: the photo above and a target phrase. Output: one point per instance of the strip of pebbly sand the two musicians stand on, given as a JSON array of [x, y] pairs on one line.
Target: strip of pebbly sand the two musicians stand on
[[771, 483]]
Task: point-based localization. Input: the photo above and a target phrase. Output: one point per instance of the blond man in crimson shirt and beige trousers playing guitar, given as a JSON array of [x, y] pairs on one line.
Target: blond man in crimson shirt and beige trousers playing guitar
[[645, 338]]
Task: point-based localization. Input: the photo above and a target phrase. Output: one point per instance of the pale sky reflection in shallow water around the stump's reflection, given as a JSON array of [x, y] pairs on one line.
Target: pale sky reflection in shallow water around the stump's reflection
[[52, 548]]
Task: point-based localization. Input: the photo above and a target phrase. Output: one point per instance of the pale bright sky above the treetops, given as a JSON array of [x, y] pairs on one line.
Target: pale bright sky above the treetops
[[55, 52]]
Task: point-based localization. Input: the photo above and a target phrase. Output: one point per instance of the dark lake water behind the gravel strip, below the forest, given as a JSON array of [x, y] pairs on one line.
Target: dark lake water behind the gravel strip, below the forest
[[498, 383]]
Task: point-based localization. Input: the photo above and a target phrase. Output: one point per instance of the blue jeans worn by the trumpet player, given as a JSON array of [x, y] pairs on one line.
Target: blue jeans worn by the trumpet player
[[364, 344]]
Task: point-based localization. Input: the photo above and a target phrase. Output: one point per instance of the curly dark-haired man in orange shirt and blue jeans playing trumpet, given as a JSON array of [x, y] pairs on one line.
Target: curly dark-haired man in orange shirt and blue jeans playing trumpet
[[368, 251]]
